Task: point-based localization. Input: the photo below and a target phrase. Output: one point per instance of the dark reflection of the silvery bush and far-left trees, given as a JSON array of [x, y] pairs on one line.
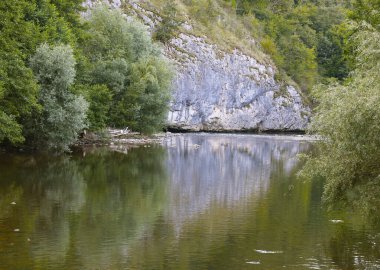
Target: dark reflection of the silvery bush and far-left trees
[[49, 190]]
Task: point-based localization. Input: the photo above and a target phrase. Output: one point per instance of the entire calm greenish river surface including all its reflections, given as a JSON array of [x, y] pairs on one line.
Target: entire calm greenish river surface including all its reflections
[[200, 202]]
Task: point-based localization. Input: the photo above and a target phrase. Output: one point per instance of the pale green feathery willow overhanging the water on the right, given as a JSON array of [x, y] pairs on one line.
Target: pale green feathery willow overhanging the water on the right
[[348, 119]]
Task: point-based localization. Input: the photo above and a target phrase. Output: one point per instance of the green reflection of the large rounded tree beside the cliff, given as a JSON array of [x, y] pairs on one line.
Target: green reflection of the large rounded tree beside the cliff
[[125, 195]]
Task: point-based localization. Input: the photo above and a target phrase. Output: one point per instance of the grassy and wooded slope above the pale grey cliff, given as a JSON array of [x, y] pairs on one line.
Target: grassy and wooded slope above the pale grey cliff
[[307, 40]]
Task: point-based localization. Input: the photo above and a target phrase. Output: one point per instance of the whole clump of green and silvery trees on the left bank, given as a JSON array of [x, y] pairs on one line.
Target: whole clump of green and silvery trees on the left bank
[[61, 73]]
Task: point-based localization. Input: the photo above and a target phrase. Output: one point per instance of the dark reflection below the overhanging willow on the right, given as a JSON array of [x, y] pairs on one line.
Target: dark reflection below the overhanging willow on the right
[[350, 242]]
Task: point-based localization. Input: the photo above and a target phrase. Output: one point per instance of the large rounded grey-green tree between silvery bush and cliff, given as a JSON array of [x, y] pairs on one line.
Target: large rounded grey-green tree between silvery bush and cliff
[[124, 58]]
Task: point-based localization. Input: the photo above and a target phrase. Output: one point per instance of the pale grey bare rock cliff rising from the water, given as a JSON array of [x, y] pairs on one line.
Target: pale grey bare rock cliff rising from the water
[[220, 91]]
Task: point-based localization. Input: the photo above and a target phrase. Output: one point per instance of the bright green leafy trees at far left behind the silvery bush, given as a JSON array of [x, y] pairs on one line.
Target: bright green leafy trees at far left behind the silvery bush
[[24, 24]]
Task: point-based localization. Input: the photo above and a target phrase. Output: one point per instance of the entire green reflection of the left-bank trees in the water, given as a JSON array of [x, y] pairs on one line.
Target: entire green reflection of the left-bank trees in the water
[[80, 213]]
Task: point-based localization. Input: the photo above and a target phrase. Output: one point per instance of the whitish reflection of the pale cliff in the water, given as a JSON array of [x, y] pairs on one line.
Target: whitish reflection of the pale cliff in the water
[[224, 169]]
